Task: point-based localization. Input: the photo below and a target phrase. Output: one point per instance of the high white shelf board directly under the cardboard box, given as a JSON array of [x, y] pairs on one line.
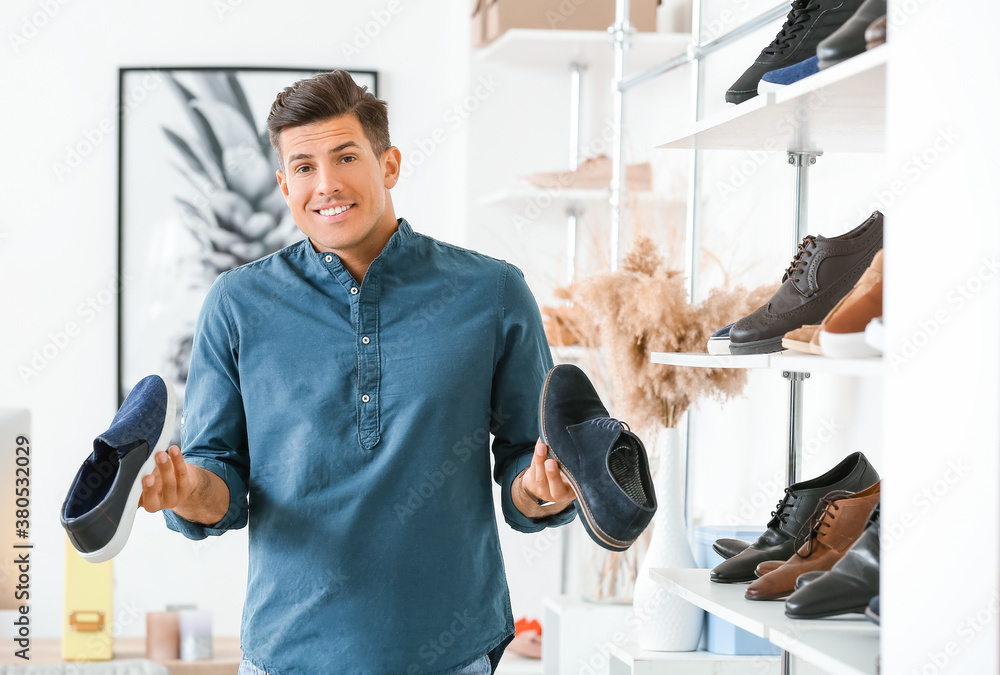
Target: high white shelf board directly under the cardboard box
[[539, 47]]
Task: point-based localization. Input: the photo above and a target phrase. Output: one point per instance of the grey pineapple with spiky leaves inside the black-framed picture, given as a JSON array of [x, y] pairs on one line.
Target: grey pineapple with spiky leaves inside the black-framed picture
[[234, 208]]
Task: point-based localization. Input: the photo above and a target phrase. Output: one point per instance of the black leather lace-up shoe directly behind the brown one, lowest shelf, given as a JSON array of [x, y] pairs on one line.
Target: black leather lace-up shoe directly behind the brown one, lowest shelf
[[853, 474]]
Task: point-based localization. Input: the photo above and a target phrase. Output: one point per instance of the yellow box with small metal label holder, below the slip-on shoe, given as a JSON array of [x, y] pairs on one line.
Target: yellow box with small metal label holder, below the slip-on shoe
[[87, 634]]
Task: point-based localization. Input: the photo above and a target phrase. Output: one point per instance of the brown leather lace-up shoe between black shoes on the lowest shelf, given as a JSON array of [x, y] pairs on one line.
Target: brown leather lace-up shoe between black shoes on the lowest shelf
[[837, 522]]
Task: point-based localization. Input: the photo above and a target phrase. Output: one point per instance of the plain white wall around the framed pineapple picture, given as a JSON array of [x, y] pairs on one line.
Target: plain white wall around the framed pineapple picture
[[58, 238]]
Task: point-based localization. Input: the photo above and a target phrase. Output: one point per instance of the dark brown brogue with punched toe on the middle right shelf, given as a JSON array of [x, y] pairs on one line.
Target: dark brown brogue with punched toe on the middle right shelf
[[823, 271]]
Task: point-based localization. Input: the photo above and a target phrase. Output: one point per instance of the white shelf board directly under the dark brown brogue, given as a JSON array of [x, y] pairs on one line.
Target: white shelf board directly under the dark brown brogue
[[780, 361]]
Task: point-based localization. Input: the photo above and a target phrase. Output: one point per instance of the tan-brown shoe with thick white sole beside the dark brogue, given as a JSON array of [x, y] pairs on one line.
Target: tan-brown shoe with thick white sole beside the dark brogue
[[842, 333]]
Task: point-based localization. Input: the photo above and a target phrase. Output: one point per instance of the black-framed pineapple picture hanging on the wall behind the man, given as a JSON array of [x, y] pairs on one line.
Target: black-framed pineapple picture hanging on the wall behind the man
[[197, 196]]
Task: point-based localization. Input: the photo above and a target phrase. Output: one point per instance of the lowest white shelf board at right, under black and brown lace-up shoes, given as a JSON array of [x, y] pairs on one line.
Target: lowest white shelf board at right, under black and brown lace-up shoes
[[842, 646]]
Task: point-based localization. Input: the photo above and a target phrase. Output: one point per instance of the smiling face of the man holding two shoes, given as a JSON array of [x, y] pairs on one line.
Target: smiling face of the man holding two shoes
[[336, 188]]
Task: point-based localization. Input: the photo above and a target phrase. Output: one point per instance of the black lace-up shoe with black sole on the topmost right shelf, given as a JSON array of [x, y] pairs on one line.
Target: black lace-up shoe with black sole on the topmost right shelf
[[808, 23]]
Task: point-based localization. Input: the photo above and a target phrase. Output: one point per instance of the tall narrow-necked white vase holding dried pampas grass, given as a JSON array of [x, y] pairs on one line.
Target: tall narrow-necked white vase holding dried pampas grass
[[667, 623]]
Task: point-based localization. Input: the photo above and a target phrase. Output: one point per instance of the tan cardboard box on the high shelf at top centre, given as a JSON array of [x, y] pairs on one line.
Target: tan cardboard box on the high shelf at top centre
[[502, 15]]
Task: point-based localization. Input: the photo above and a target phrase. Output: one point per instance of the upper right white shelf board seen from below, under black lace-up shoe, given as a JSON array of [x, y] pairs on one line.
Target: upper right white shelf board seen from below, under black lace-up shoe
[[840, 109]]
